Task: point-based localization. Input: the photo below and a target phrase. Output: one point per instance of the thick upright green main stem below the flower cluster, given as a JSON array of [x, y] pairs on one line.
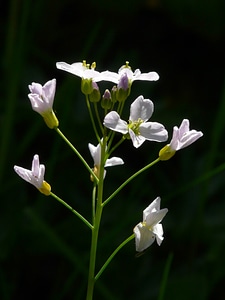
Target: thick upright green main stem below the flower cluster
[[96, 225]]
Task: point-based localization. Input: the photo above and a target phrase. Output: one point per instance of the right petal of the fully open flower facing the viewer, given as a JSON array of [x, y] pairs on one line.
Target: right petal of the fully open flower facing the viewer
[[153, 131]]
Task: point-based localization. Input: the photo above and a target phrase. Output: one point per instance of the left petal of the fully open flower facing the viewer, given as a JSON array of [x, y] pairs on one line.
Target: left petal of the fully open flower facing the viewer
[[112, 121]]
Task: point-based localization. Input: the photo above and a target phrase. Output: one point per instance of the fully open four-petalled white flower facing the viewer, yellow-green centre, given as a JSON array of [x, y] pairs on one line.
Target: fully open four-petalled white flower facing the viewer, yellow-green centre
[[138, 127]]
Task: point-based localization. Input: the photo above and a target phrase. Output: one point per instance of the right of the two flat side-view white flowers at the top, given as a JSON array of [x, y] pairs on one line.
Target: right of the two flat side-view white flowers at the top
[[132, 76]]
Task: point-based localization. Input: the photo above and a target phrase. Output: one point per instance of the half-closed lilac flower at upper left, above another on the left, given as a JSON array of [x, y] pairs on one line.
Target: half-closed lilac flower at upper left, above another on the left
[[42, 98]]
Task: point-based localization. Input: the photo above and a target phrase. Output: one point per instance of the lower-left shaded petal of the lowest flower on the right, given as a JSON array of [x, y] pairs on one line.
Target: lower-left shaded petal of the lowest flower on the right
[[143, 237]]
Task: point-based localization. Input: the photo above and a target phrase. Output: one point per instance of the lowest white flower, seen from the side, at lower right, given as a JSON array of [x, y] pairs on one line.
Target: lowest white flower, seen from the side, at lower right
[[146, 232]]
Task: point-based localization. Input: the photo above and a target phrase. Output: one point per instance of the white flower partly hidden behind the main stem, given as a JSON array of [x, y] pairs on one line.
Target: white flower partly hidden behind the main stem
[[96, 155]]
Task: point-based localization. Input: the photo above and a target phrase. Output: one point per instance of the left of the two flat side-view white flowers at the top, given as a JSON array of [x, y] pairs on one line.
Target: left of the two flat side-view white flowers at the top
[[81, 69]]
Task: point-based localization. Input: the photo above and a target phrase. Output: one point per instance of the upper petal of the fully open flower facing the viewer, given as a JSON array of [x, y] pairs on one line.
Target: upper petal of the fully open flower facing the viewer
[[141, 109]]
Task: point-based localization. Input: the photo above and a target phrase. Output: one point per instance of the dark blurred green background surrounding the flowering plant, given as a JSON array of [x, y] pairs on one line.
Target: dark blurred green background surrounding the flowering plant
[[44, 249]]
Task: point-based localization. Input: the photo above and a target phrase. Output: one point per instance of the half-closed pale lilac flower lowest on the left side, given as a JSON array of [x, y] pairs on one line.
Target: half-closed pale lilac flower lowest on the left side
[[35, 176]]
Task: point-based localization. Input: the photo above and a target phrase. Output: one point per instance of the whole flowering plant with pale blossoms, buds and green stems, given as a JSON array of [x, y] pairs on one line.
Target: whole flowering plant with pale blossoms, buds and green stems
[[138, 128]]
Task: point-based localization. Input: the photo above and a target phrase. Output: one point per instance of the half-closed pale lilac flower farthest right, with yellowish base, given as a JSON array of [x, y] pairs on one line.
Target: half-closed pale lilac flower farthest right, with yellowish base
[[182, 137]]
